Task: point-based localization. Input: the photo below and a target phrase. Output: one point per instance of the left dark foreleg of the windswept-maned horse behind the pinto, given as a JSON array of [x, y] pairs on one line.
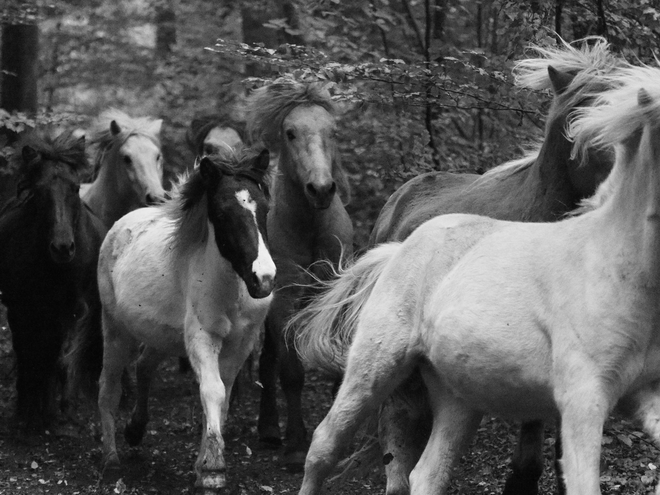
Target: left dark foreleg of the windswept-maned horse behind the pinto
[[268, 425]]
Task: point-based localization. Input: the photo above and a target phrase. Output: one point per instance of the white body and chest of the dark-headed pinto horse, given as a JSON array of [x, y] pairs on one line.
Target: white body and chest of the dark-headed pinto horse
[[156, 313]]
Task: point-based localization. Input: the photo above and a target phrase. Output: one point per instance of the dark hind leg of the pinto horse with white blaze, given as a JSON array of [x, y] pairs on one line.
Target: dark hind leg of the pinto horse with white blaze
[[146, 366]]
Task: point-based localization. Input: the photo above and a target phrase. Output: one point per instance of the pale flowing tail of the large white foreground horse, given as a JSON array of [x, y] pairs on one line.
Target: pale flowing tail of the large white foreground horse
[[324, 329]]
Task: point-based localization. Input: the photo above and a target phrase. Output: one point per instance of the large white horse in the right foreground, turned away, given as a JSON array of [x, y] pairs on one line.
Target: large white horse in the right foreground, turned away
[[527, 321]]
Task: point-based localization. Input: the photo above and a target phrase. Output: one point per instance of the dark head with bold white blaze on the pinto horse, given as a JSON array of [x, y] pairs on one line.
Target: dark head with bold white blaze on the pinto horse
[[237, 209]]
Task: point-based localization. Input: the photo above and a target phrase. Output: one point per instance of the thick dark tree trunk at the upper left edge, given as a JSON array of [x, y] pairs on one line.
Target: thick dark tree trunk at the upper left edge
[[20, 57]]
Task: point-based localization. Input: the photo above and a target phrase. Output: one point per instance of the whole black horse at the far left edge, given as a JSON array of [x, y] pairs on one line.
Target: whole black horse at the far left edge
[[49, 243]]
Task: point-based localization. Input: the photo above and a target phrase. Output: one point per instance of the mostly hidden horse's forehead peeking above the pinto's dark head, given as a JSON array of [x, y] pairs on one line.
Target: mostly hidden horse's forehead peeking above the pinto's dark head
[[212, 134]]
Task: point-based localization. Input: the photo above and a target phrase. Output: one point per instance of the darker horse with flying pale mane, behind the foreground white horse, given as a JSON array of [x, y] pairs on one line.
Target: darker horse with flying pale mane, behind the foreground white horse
[[540, 187]]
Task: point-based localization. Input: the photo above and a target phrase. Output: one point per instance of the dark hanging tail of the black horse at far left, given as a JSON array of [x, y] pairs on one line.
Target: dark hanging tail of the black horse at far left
[[83, 359]]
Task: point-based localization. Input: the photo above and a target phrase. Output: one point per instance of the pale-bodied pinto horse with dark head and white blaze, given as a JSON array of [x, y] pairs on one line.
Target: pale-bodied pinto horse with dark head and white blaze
[[193, 278]]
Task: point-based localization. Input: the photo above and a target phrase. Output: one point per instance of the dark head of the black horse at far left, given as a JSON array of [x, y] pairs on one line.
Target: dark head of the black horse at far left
[[49, 183]]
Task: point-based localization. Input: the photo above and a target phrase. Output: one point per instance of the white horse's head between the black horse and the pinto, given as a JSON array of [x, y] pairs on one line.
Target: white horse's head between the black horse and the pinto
[[140, 164]]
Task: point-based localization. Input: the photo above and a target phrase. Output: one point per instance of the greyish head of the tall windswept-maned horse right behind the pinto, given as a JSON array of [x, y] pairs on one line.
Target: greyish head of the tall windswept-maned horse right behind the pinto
[[308, 145]]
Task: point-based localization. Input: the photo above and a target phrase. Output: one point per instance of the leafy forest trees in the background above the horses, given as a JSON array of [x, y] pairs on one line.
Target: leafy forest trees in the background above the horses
[[422, 84]]
